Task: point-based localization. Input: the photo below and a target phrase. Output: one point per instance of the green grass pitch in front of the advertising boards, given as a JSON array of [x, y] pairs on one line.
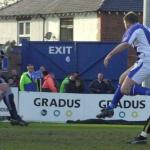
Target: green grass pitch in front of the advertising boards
[[46, 136]]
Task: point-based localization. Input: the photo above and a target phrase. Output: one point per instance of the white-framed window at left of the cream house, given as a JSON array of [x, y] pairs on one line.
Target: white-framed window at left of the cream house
[[23, 30]]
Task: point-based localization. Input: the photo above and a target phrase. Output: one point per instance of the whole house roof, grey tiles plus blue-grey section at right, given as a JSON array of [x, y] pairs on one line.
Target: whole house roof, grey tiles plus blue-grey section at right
[[36, 7]]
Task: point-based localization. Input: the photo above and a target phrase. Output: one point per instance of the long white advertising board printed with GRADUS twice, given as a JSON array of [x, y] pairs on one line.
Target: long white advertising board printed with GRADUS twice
[[58, 107]]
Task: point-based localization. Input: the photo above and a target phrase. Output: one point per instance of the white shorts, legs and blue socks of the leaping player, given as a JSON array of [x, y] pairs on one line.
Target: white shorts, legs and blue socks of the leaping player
[[133, 77]]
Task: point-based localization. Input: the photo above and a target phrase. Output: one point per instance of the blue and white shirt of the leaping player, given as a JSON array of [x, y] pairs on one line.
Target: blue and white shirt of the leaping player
[[138, 36]]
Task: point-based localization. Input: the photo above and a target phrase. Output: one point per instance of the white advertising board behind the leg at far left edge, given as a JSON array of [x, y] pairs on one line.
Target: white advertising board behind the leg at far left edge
[[3, 108]]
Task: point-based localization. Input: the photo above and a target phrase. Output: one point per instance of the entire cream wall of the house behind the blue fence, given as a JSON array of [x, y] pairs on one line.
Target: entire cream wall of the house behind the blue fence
[[86, 28]]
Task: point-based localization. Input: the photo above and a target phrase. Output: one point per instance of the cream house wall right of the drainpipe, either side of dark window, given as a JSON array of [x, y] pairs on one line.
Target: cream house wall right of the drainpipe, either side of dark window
[[86, 27]]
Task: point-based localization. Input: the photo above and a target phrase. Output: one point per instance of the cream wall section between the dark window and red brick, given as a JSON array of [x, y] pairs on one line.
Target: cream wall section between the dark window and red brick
[[87, 28]]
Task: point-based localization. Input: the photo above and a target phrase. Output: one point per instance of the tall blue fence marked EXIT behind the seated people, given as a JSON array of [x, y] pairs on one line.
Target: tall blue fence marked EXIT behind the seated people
[[62, 58]]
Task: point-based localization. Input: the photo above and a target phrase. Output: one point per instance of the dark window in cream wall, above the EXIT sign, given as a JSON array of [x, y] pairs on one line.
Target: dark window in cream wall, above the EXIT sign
[[66, 29]]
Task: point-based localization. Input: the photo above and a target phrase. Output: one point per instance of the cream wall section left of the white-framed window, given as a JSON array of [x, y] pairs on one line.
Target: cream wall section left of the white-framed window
[[8, 30]]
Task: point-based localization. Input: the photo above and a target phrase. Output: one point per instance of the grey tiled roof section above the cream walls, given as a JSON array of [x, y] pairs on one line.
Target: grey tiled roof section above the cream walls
[[34, 7]]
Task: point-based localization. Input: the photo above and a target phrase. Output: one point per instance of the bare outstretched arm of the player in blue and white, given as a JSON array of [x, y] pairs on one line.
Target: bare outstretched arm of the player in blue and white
[[119, 48]]
